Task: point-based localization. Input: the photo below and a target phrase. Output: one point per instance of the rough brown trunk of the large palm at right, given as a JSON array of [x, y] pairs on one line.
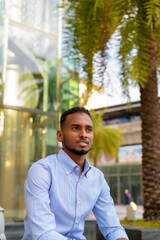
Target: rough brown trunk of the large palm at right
[[150, 115]]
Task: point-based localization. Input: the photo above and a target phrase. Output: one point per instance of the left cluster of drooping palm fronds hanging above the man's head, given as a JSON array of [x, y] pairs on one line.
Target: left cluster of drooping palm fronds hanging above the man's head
[[88, 27]]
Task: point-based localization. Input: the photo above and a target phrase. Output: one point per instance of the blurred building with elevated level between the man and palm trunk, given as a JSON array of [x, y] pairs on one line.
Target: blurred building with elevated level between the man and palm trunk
[[125, 172]]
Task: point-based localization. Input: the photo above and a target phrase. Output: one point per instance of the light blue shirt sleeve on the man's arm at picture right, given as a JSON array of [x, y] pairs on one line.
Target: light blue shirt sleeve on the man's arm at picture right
[[106, 215]]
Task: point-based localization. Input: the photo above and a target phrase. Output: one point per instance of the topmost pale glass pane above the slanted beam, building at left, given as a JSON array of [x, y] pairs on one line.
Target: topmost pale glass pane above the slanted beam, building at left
[[40, 14]]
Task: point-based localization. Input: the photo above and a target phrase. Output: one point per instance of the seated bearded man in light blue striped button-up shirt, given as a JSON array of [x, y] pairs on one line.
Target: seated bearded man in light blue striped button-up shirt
[[61, 190]]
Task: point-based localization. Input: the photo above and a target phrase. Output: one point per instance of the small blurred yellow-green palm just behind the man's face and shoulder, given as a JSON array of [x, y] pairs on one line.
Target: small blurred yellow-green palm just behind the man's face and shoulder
[[107, 140]]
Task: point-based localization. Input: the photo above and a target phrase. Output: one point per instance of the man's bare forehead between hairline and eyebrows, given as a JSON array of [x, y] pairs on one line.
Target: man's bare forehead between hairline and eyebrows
[[78, 118]]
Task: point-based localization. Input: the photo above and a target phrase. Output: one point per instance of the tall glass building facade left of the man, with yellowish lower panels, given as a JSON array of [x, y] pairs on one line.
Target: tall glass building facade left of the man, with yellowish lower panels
[[28, 72]]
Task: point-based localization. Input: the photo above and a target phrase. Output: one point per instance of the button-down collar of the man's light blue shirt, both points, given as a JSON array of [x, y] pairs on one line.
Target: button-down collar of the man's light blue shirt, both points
[[68, 164]]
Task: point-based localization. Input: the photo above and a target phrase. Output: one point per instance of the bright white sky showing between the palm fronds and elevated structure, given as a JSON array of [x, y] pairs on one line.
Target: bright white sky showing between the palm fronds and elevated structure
[[112, 85]]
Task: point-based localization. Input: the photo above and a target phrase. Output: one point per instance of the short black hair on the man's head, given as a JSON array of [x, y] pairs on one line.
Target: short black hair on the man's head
[[73, 110]]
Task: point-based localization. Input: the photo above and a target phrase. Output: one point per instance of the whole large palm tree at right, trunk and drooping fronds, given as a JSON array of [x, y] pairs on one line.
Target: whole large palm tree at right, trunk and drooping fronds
[[90, 25]]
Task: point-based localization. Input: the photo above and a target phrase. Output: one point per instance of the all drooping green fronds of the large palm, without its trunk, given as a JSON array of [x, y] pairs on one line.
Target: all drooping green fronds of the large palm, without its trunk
[[90, 25]]
